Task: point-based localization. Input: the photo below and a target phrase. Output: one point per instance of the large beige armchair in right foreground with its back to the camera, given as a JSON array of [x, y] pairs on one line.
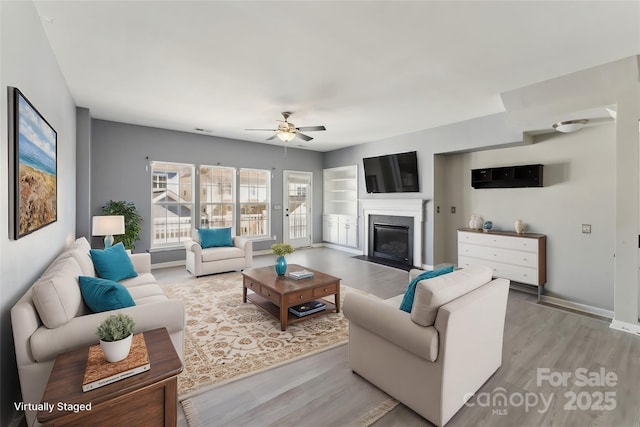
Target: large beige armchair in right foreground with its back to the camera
[[436, 357]]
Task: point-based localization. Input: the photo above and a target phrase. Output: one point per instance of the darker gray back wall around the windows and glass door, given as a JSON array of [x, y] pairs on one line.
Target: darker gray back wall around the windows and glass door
[[120, 154]]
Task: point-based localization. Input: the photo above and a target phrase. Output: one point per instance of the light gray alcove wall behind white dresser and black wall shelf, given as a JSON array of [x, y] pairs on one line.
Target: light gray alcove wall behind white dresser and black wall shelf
[[579, 183]]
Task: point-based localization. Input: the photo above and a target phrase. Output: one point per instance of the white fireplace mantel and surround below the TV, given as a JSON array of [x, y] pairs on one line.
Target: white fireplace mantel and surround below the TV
[[400, 207]]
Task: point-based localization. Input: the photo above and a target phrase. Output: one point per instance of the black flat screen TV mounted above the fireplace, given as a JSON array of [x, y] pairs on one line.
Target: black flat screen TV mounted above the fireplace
[[393, 173]]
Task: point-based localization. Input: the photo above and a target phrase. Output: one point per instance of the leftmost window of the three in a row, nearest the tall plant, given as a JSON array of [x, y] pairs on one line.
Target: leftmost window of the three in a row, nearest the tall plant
[[171, 203]]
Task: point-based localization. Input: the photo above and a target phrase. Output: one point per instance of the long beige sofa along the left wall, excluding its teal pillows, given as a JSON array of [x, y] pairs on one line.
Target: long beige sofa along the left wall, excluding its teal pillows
[[51, 318]]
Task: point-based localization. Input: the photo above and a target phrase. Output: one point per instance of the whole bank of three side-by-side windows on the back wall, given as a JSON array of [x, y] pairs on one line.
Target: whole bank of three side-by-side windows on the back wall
[[226, 197]]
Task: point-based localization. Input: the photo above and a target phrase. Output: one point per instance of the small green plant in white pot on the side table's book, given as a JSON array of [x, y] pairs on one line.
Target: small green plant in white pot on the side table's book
[[116, 335]]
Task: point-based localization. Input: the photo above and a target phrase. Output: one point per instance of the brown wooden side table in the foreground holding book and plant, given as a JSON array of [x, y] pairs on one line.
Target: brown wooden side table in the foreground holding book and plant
[[149, 398]]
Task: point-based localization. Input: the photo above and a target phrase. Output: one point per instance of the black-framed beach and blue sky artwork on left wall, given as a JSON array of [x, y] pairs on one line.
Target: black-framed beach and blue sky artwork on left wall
[[33, 167]]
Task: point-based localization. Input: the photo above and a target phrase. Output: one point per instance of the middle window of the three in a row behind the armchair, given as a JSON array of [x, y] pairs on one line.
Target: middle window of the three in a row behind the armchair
[[217, 196]]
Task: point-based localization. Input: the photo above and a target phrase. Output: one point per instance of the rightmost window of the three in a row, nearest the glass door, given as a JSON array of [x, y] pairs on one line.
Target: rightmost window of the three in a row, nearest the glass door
[[255, 202]]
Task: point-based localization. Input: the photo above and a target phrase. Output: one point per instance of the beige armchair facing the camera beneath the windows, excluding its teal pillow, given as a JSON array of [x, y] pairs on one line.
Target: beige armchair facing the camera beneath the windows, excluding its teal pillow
[[203, 261]]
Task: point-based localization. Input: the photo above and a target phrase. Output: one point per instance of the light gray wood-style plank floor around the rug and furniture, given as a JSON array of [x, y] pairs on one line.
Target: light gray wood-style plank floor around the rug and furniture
[[542, 344]]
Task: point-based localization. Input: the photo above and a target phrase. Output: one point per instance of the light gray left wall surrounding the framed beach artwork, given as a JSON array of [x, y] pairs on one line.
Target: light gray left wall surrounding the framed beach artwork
[[28, 63]]
